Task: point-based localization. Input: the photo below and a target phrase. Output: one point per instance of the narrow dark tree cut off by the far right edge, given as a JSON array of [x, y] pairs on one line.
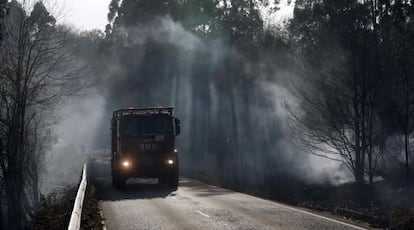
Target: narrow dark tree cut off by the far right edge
[[400, 34]]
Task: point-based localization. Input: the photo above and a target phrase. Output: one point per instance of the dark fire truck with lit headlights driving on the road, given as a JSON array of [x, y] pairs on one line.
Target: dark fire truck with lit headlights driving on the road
[[143, 145]]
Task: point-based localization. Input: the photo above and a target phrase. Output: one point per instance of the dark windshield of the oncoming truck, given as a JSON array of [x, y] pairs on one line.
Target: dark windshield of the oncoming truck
[[146, 125]]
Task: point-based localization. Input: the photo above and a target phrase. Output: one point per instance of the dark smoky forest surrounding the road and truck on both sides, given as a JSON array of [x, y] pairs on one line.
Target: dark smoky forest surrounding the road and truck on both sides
[[264, 105]]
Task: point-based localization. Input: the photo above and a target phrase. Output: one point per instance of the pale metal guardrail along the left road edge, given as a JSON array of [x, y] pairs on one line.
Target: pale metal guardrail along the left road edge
[[75, 218]]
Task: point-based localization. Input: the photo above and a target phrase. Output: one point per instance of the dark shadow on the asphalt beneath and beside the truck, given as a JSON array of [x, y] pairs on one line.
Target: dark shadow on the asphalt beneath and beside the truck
[[100, 176]]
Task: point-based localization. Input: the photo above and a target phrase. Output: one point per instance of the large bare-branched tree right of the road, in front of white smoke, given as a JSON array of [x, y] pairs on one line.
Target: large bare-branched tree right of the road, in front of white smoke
[[344, 85]]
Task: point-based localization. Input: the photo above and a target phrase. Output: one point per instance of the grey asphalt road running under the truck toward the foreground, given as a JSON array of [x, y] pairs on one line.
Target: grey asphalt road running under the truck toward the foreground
[[195, 205]]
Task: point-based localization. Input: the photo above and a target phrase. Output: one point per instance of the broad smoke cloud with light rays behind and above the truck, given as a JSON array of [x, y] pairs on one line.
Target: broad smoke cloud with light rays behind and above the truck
[[233, 129]]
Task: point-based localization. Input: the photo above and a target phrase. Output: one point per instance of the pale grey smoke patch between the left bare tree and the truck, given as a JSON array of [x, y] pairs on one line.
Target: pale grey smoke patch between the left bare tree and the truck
[[75, 135]]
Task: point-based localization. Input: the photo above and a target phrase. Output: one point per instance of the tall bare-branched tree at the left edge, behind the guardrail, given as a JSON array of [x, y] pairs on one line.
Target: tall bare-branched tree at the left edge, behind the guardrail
[[38, 70]]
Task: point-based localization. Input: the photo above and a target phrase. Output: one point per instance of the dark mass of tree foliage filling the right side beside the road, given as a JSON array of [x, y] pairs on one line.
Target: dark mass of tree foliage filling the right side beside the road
[[350, 76]]
